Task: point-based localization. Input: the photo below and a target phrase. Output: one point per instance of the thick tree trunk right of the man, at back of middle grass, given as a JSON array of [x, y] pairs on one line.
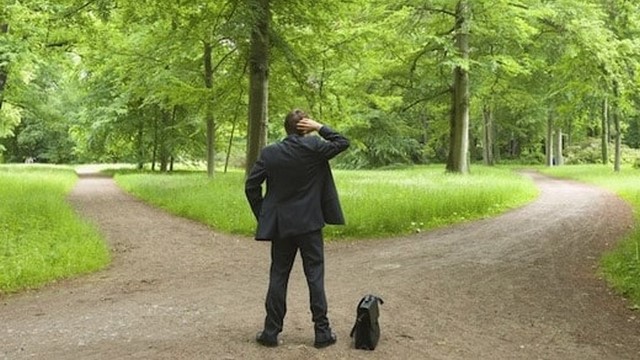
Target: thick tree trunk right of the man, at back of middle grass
[[459, 145]]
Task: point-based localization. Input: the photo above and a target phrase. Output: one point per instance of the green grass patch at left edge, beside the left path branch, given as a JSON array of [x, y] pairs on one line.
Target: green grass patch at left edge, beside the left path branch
[[41, 238]]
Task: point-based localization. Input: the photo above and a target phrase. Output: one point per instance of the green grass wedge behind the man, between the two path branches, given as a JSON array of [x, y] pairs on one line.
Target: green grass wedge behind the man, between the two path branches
[[376, 203]]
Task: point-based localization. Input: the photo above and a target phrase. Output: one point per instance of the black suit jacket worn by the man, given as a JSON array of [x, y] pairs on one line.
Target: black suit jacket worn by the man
[[300, 192]]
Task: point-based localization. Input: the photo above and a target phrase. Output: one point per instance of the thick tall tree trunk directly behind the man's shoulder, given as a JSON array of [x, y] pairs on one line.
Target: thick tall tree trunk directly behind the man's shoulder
[[258, 82]]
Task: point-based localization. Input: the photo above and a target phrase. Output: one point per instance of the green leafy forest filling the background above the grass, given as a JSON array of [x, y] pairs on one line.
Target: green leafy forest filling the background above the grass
[[410, 82]]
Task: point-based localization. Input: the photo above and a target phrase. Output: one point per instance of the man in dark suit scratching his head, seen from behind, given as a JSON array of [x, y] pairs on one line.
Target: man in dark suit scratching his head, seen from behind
[[300, 198]]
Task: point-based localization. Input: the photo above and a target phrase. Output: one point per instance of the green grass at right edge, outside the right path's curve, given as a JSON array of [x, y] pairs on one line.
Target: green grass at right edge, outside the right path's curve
[[621, 266]]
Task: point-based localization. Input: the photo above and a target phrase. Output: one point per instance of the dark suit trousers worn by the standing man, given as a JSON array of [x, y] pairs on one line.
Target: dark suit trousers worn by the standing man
[[283, 253]]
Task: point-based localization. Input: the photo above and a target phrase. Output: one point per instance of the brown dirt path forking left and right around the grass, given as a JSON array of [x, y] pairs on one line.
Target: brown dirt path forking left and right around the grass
[[520, 286]]
